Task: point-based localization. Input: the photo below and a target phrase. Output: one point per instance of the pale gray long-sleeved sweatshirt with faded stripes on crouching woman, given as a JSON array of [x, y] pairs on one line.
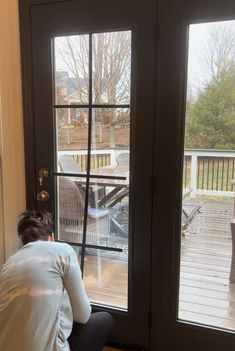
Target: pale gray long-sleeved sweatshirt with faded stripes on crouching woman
[[41, 293]]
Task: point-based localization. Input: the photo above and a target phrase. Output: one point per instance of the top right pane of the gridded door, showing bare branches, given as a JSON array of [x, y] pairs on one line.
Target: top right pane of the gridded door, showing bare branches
[[111, 66]]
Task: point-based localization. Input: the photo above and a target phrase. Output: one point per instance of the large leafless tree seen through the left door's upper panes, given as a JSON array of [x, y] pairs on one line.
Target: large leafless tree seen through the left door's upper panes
[[111, 61]]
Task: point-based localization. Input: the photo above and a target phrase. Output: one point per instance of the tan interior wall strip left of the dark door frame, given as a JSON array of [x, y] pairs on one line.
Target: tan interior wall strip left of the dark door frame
[[12, 175]]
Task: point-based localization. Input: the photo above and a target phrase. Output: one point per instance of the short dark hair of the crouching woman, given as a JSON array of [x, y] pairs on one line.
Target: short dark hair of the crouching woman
[[34, 225]]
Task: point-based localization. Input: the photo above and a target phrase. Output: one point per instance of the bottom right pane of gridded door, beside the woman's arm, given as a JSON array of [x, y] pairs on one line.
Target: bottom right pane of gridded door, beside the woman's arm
[[106, 278]]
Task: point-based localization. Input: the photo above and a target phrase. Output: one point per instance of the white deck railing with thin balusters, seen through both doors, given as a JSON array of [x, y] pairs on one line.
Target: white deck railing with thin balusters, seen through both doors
[[206, 172]]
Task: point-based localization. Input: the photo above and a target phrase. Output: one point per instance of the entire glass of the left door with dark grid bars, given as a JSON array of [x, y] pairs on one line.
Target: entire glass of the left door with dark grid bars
[[92, 112]]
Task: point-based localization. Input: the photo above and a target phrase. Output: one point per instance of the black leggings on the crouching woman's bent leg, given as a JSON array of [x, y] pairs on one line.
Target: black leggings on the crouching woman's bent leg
[[93, 335]]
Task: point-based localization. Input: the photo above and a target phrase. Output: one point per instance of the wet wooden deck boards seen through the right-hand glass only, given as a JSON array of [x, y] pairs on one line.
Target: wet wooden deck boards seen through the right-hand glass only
[[206, 295]]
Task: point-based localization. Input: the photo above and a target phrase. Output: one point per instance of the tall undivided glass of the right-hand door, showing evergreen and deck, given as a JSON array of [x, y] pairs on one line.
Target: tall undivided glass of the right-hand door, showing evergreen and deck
[[207, 273]]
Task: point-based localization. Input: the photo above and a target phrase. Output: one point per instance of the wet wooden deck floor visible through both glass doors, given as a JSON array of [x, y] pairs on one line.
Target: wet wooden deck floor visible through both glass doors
[[206, 295]]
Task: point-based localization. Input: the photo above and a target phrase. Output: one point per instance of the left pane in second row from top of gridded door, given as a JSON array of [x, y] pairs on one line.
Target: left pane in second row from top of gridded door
[[72, 139]]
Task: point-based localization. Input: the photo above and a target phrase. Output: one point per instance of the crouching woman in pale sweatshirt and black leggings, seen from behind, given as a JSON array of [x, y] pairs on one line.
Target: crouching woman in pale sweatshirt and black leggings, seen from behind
[[43, 303]]
